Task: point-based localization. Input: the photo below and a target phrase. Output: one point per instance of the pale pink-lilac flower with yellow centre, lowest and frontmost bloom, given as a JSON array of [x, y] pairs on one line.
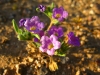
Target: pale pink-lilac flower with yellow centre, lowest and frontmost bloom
[[49, 45]]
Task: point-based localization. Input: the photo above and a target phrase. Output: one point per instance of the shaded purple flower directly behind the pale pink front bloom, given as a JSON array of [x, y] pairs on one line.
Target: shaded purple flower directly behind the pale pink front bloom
[[58, 31]]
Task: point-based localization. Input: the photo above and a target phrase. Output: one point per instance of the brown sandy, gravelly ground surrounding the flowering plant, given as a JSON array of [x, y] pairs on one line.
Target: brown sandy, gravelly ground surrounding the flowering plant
[[16, 57]]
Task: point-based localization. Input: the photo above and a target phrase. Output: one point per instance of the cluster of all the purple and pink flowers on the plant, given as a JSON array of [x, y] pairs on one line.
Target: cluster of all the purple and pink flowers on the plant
[[50, 40]]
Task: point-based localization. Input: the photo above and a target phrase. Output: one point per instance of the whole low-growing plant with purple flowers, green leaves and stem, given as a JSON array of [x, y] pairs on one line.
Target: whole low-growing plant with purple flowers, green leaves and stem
[[51, 40]]
